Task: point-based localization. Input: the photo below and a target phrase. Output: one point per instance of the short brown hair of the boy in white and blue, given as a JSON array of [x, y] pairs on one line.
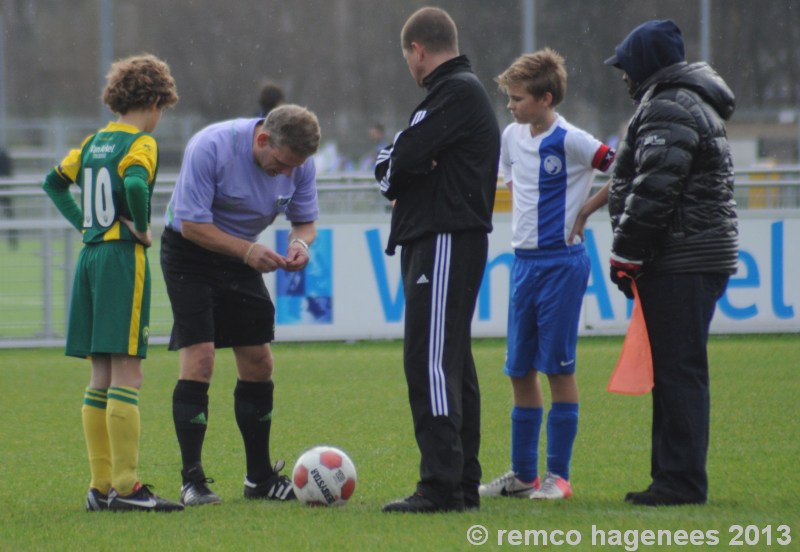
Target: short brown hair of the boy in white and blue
[[540, 72]]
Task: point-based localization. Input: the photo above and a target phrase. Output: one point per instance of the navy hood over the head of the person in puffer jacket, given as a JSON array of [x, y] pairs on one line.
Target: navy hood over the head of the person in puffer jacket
[[649, 48]]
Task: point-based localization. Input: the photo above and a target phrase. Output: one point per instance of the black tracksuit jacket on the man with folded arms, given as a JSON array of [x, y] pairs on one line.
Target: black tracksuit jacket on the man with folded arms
[[442, 170]]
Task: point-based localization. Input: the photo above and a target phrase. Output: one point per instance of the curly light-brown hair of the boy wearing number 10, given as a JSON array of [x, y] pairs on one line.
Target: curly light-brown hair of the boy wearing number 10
[[138, 82]]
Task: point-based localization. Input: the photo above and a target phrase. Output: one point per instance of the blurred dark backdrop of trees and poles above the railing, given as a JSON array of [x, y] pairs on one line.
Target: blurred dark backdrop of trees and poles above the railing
[[342, 59]]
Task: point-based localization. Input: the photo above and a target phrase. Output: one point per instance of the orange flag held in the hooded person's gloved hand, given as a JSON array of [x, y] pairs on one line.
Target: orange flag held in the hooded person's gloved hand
[[633, 374]]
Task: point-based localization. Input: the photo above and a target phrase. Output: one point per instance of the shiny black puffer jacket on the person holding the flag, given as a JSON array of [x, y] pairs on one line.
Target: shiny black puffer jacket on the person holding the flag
[[671, 196]]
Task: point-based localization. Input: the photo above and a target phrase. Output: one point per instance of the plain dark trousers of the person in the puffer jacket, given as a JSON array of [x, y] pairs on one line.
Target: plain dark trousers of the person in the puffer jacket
[[677, 310]]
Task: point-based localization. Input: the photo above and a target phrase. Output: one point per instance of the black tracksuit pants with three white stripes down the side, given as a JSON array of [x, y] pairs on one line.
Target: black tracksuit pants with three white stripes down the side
[[442, 274]]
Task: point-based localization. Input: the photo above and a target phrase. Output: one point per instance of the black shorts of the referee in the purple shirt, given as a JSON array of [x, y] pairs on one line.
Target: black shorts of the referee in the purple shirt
[[214, 297]]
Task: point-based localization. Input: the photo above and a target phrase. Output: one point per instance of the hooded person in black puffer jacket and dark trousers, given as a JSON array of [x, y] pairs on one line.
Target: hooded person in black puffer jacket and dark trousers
[[675, 234]]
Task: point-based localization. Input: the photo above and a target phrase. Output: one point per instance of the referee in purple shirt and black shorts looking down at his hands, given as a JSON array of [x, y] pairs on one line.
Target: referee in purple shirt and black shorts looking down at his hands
[[236, 177]]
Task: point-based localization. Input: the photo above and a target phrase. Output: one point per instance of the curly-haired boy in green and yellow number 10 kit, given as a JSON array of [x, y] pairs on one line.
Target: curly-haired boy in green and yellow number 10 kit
[[109, 313]]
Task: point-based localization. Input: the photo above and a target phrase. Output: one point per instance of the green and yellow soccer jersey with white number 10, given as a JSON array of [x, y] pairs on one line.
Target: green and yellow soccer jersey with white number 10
[[99, 170]]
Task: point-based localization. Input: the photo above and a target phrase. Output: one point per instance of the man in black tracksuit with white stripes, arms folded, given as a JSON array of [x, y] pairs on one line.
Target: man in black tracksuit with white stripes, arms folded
[[441, 174]]
